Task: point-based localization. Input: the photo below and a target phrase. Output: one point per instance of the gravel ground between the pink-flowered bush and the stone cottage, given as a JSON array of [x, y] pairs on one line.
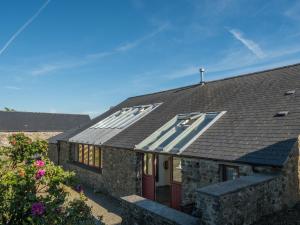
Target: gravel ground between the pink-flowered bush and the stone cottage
[[102, 206]]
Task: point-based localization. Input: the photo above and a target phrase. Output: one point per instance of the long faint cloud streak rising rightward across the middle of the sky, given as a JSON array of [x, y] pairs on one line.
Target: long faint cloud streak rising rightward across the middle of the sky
[[90, 58]]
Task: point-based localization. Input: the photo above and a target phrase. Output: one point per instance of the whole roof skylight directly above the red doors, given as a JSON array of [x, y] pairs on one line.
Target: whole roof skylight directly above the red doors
[[179, 132]]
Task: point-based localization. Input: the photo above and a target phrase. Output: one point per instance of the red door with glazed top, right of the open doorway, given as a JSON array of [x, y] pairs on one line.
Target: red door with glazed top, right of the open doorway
[[176, 179]]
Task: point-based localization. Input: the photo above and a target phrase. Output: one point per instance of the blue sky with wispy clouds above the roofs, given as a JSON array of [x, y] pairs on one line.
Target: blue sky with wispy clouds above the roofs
[[85, 56]]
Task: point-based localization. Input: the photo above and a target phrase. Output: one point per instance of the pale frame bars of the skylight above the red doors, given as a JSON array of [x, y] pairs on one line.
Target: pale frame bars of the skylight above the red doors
[[170, 146]]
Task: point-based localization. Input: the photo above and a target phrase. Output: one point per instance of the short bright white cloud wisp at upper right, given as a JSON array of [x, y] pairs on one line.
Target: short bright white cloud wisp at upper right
[[251, 45]]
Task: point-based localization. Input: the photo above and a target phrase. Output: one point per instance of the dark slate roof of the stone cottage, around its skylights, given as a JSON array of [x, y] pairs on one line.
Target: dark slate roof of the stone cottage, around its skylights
[[247, 133]]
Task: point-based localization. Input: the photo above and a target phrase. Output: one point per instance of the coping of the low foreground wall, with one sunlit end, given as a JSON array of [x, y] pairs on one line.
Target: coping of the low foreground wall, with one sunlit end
[[161, 210]]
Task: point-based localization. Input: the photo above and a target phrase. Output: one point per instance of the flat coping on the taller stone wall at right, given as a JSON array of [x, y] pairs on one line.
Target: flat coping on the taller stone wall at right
[[231, 186]]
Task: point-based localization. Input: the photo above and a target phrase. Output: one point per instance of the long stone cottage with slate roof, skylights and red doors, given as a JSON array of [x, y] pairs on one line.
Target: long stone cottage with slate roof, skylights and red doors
[[224, 151]]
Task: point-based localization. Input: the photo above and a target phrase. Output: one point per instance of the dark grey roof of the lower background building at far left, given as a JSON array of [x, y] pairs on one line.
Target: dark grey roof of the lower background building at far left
[[34, 122]]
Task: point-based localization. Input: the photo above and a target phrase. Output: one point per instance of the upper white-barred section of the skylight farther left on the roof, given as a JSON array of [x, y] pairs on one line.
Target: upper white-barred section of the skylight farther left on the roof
[[125, 117]]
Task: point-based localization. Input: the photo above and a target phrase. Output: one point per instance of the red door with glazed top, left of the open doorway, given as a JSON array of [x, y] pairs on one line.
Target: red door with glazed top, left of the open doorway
[[148, 180]]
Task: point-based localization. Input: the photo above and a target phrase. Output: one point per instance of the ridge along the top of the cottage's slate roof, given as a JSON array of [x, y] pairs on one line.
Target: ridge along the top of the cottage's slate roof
[[222, 79]]
